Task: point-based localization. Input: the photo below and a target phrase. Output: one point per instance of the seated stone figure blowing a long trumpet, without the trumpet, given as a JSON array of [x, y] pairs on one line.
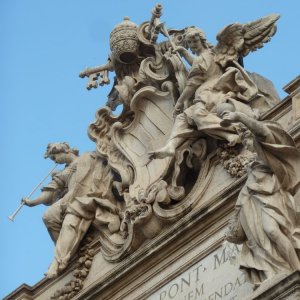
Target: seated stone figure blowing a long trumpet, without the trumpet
[[86, 183]]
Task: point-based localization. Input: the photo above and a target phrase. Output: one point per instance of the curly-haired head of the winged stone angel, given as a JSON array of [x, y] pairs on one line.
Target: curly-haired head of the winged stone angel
[[196, 39]]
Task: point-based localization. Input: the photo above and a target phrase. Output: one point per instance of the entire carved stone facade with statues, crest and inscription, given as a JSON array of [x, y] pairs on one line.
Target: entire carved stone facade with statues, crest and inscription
[[185, 165]]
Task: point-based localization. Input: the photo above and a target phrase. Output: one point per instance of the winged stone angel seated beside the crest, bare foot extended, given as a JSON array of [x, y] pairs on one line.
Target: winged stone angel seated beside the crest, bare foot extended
[[215, 77]]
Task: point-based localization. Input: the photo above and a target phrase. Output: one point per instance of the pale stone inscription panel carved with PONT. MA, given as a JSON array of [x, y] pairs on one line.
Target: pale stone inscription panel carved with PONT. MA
[[215, 276]]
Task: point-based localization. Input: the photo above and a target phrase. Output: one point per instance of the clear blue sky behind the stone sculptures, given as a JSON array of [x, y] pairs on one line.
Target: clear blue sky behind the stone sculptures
[[44, 46]]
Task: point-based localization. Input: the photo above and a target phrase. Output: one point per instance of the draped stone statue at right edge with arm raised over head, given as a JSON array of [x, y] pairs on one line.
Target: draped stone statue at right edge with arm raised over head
[[266, 222]]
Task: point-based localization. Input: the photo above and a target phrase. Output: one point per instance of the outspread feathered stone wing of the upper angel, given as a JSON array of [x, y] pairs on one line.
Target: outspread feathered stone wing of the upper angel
[[237, 40]]
